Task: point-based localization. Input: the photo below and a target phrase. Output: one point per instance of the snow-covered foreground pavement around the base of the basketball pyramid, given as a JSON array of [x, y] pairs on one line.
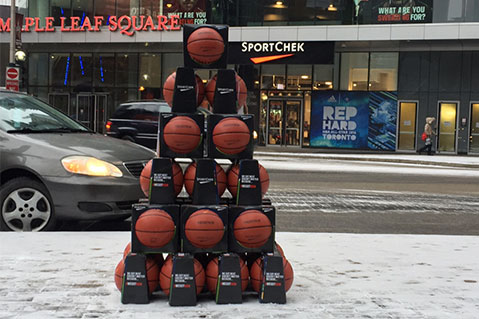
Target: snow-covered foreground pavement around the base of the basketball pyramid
[[70, 275]]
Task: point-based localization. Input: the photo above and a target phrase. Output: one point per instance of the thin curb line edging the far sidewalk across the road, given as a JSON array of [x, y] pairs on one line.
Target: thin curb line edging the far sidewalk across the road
[[366, 159]]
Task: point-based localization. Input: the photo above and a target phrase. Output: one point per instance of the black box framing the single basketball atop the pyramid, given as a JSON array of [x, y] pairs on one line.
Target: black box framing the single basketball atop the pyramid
[[221, 63]]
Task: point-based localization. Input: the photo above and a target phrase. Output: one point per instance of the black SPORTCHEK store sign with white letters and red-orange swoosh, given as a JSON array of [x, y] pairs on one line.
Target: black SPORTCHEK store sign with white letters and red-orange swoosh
[[281, 52]]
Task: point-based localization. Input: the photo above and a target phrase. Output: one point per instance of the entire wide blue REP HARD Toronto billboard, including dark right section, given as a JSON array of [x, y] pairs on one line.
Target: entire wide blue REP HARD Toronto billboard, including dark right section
[[354, 120]]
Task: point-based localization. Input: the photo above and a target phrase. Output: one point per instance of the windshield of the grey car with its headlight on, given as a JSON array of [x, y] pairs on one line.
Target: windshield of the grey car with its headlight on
[[25, 114]]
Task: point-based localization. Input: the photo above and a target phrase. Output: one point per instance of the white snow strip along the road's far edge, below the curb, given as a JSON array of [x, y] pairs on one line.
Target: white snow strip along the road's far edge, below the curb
[[317, 165]]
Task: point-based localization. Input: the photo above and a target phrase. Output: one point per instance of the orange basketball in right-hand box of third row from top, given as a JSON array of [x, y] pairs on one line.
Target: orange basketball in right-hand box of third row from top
[[231, 135]]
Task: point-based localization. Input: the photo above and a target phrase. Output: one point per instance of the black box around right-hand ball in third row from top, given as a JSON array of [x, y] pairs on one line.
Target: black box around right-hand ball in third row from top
[[211, 149]]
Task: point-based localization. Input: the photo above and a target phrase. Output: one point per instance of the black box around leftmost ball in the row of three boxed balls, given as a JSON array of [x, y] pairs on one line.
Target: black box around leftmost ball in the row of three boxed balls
[[172, 246]]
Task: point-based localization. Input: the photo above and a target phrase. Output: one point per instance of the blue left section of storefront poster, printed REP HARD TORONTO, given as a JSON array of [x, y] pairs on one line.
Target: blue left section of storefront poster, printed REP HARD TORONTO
[[339, 119]]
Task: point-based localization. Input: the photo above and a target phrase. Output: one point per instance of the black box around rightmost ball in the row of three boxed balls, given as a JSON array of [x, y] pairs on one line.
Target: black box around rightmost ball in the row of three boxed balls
[[234, 245]]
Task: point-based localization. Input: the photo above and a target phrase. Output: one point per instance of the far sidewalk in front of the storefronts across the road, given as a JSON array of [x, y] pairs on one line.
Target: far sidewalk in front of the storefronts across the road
[[466, 161]]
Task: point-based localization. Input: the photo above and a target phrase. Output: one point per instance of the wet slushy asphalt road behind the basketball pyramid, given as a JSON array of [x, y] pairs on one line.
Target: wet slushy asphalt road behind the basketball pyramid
[[364, 202]]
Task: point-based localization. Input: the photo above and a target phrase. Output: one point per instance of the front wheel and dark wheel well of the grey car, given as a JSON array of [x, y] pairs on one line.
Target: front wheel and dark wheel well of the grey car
[[26, 205]]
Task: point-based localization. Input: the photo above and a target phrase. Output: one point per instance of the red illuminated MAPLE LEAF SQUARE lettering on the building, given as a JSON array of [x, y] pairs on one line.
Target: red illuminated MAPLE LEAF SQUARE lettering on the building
[[125, 24]]
